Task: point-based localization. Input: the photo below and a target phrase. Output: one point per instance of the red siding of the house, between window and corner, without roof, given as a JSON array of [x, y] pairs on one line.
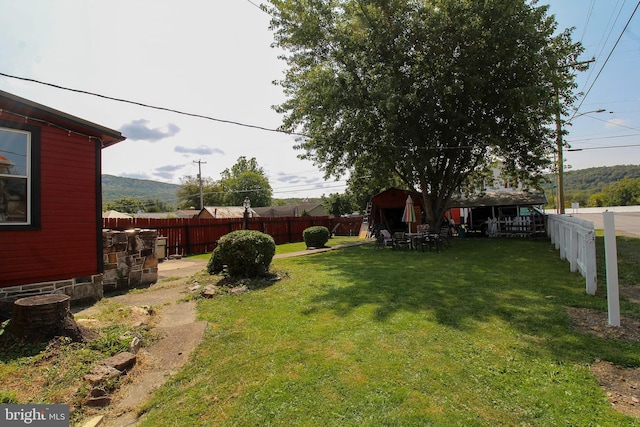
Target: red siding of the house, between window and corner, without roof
[[66, 245]]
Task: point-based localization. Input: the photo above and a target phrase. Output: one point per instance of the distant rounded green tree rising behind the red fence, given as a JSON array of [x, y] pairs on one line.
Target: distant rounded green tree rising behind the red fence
[[246, 179]]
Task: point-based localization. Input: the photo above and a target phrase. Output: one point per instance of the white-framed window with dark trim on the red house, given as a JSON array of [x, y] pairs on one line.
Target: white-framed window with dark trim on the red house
[[16, 177]]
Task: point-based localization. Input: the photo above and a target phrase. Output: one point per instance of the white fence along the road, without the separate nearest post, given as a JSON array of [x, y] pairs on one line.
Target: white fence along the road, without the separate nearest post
[[576, 240]]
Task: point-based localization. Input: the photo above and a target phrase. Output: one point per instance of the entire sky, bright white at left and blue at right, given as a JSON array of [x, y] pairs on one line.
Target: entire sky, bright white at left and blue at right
[[214, 58]]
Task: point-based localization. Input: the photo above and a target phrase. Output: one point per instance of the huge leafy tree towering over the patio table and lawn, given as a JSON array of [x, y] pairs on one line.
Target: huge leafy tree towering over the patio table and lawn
[[428, 91]]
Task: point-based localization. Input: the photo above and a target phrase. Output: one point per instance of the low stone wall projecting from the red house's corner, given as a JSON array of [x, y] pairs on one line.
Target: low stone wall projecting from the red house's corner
[[130, 258]]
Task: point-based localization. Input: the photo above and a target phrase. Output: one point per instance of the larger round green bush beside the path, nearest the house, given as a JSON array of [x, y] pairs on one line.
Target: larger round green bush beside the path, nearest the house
[[246, 253]]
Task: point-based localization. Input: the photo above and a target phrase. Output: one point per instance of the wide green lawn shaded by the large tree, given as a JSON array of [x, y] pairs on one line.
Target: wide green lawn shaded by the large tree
[[475, 335]]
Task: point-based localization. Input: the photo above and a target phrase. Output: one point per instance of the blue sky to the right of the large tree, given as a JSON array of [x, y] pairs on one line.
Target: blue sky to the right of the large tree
[[611, 83]]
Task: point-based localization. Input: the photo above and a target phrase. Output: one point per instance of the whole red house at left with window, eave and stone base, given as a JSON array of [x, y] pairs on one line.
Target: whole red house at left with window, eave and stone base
[[50, 203]]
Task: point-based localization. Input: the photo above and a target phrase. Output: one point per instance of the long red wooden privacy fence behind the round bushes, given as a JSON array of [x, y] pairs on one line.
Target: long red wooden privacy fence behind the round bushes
[[190, 236]]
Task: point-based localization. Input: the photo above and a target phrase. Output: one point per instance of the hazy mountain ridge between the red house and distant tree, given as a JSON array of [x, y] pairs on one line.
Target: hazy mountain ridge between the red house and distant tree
[[116, 187]]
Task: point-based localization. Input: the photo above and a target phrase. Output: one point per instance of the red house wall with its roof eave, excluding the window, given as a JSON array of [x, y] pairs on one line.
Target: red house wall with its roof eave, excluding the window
[[66, 241]]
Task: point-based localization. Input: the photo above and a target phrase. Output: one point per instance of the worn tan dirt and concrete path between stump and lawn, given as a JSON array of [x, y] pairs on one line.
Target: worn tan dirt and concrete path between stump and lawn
[[173, 322]]
